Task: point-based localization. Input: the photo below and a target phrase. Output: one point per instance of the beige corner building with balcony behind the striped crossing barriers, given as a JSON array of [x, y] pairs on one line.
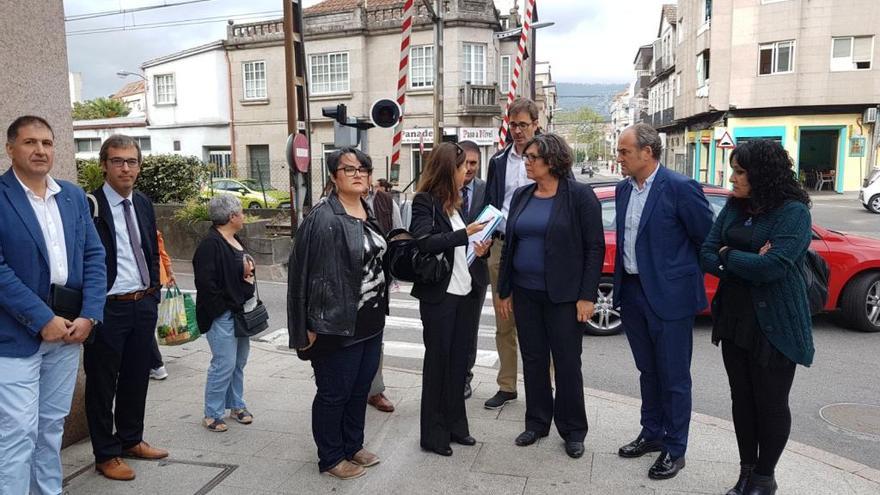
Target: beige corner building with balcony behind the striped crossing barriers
[[353, 52]]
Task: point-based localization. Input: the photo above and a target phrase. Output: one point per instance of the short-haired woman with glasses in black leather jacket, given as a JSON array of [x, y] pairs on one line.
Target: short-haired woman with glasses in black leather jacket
[[337, 302]]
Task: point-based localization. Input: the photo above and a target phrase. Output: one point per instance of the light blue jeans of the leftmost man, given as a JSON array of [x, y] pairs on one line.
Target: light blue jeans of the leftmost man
[[35, 395]]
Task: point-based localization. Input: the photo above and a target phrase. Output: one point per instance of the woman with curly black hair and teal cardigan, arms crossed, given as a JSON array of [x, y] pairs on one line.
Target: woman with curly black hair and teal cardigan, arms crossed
[[761, 315]]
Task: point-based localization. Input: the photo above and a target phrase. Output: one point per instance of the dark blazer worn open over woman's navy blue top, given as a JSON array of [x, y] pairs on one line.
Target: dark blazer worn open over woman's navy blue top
[[574, 243]]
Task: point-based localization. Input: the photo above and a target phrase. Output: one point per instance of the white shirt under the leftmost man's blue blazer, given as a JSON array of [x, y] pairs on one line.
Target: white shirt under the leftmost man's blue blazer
[[49, 218]]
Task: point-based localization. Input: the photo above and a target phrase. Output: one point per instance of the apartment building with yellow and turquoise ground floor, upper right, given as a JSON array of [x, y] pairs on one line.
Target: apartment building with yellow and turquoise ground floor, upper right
[[802, 72]]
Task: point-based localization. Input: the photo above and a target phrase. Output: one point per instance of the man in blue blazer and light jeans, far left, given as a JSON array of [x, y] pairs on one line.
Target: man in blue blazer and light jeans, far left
[[47, 239]]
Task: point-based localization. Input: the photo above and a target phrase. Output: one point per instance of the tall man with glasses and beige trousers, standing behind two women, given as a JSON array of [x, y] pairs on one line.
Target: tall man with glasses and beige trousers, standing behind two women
[[507, 172]]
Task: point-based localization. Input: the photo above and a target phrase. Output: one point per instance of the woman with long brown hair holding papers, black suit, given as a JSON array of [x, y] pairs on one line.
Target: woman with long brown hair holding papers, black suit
[[446, 316]]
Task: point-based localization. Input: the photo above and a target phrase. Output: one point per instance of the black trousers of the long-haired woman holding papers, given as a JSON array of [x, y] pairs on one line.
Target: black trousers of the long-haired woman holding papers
[[448, 335]]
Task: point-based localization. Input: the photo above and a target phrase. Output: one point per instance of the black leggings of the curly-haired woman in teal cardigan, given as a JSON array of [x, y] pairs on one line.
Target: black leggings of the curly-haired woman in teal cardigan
[[761, 416]]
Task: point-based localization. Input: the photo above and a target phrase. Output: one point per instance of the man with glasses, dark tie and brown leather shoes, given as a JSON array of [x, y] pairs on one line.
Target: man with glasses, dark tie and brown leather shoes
[[117, 363]]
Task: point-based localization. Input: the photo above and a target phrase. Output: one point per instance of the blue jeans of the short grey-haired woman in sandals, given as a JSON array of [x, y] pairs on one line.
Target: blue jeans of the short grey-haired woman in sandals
[[224, 388]]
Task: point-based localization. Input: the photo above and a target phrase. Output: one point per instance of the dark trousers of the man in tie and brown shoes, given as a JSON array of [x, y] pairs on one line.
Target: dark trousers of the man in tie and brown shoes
[[117, 366]]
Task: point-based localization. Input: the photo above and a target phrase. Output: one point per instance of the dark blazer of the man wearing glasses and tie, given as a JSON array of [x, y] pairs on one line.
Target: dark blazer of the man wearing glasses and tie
[[146, 219]]
